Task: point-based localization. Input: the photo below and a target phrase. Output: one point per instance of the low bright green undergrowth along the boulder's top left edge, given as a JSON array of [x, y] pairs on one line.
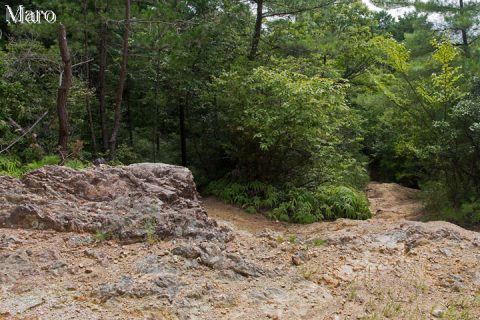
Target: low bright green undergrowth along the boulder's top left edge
[[10, 166]]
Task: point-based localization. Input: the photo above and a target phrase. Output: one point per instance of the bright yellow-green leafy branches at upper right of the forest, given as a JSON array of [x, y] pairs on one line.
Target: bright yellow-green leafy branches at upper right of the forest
[[420, 98]]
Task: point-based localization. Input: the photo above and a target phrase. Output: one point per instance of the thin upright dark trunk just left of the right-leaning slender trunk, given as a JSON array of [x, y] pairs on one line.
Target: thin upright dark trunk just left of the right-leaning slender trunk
[[101, 84]]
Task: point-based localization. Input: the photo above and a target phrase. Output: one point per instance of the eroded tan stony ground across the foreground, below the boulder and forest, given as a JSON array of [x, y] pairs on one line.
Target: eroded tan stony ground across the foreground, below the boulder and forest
[[386, 267]]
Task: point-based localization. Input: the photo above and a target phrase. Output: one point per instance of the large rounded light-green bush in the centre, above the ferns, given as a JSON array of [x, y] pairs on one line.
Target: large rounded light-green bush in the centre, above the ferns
[[286, 127]]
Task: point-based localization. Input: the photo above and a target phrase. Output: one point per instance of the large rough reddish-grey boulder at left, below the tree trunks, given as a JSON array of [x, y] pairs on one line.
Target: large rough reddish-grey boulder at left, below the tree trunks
[[129, 203]]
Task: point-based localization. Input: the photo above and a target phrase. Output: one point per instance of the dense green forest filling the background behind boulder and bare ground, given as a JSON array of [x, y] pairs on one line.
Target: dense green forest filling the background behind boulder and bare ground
[[282, 107]]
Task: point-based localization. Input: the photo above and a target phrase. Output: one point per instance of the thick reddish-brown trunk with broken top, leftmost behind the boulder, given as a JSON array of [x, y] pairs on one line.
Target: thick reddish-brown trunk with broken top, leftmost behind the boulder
[[63, 89]]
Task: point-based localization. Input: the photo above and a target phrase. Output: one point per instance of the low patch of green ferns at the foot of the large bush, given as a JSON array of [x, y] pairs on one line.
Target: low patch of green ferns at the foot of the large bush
[[299, 205]]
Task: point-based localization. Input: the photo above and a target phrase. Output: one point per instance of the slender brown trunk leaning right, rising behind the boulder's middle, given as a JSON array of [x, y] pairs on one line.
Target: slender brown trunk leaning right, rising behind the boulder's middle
[[121, 84]]
